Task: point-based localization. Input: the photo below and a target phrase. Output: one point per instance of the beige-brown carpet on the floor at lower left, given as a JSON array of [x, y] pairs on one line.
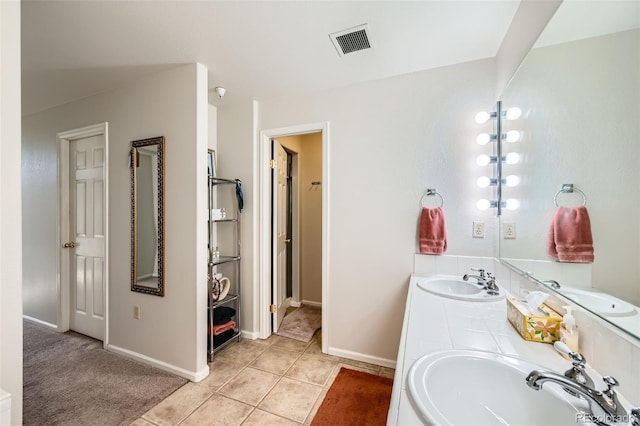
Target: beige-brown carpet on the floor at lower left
[[70, 380]]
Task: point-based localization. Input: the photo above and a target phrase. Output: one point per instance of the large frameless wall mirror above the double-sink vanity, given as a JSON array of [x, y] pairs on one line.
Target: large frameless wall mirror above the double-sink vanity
[[579, 90]]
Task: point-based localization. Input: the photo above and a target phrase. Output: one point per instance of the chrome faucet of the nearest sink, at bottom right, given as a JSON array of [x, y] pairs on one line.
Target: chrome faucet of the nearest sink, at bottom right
[[604, 406]]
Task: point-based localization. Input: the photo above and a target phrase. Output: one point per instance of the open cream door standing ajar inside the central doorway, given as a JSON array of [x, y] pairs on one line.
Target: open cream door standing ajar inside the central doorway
[[280, 298]]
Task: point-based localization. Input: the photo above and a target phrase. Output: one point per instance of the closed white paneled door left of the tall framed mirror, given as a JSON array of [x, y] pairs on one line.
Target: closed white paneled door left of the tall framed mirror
[[87, 214]]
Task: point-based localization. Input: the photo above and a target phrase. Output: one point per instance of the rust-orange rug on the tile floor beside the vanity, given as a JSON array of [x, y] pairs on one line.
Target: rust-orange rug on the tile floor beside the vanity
[[355, 398]]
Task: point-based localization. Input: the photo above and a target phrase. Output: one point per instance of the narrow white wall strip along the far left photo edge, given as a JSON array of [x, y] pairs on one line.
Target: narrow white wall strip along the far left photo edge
[[10, 209]]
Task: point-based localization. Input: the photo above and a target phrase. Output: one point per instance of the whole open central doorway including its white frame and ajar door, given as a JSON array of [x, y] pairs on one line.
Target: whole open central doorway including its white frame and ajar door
[[293, 224]]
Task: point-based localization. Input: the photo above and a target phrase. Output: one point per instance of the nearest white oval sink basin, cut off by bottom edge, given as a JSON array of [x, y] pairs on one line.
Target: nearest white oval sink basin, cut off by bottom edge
[[465, 387]]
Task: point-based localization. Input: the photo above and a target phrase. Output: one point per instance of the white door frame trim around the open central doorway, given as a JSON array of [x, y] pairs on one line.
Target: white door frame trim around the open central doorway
[[264, 225]]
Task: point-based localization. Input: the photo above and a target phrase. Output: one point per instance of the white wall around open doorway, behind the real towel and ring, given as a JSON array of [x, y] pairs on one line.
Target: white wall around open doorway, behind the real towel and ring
[[389, 141]]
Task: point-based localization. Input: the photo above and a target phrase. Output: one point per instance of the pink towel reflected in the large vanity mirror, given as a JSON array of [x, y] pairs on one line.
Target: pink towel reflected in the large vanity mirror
[[570, 238]]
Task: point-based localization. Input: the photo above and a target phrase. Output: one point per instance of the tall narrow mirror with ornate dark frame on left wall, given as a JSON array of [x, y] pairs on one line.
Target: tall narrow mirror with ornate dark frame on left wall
[[147, 207]]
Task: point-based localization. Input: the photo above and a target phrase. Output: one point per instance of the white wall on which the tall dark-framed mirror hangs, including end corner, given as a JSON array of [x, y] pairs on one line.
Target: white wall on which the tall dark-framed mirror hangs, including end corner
[[172, 104]]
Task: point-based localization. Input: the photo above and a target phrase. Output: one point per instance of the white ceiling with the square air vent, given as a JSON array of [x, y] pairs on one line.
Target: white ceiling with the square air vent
[[255, 49]]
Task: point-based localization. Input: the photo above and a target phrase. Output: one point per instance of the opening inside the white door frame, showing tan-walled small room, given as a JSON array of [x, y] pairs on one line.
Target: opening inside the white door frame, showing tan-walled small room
[[297, 225]]
